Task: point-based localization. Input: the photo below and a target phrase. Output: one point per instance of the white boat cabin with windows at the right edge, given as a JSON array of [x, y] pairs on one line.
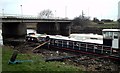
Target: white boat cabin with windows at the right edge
[[111, 37]]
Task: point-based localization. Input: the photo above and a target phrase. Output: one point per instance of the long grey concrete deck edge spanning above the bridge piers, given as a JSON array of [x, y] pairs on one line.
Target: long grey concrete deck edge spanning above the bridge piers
[[14, 19]]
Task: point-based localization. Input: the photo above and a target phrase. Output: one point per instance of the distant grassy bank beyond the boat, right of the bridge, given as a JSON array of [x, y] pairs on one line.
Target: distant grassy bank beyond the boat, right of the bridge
[[95, 28]]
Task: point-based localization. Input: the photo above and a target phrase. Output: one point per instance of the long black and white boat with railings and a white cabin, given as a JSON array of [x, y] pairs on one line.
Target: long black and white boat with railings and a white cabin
[[107, 44]]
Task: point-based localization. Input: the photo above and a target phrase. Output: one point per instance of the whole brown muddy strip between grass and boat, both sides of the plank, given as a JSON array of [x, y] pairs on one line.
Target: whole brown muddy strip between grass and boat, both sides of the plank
[[83, 61]]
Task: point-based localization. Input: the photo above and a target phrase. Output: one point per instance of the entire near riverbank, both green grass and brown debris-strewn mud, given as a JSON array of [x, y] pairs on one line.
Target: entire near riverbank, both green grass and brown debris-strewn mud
[[39, 64]]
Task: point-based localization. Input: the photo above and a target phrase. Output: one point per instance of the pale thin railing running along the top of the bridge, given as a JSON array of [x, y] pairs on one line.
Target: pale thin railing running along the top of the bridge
[[29, 17]]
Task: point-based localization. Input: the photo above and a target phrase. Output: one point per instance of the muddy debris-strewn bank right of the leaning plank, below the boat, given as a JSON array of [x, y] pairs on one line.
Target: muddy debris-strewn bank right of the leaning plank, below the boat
[[85, 62]]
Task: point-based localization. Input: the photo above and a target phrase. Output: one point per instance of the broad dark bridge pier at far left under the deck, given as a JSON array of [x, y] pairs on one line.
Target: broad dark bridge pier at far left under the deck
[[13, 31]]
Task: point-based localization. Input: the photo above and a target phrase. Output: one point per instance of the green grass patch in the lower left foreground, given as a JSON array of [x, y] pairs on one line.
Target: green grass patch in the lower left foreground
[[38, 63]]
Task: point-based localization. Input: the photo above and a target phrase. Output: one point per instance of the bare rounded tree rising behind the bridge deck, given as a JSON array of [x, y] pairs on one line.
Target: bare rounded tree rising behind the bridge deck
[[46, 14]]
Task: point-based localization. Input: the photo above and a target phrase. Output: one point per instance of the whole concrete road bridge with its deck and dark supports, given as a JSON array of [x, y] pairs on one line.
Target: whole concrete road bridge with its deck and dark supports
[[15, 27]]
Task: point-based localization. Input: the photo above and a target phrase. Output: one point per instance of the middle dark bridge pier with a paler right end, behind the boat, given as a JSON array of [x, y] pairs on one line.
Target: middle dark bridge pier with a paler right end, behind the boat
[[50, 28]]
